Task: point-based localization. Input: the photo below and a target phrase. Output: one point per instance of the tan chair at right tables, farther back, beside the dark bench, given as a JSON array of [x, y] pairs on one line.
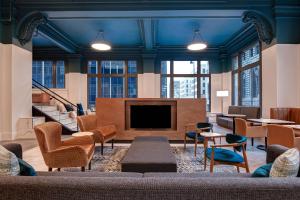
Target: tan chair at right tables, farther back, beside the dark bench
[[245, 129]]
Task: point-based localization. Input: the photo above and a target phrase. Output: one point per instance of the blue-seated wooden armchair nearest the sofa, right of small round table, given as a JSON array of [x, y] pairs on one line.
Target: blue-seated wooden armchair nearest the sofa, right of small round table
[[219, 155]]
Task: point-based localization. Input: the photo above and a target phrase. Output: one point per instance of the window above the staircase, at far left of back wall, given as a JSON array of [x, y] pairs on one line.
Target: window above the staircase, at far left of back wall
[[49, 73]]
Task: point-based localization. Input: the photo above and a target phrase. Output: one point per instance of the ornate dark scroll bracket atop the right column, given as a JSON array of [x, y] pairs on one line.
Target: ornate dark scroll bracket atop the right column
[[262, 25]]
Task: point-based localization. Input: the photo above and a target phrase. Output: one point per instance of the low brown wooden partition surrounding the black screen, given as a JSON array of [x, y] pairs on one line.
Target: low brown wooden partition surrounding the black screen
[[112, 111]]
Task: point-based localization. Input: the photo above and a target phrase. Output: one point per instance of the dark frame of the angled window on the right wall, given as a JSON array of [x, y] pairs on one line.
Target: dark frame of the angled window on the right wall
[[241, 69]]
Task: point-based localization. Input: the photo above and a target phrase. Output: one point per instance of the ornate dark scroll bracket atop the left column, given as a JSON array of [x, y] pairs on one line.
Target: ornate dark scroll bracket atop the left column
[[28, 24]]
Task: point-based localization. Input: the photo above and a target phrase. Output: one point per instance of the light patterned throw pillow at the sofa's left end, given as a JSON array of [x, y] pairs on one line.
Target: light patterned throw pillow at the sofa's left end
[[9, 164]]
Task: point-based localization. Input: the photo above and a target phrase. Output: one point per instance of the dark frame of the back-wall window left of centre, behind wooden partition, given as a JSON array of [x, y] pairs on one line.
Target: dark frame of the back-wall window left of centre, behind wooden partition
[[100, 75]]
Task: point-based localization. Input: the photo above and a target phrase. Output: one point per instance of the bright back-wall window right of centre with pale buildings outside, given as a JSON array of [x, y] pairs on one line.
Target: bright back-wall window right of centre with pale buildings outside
[[185, 79]]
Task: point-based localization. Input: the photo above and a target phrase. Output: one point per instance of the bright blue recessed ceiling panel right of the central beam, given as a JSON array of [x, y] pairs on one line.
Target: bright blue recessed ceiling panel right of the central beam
[[179, 32]]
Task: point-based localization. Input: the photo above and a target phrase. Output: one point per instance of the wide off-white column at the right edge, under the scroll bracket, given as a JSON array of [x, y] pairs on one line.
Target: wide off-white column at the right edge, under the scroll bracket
[[280, 77]]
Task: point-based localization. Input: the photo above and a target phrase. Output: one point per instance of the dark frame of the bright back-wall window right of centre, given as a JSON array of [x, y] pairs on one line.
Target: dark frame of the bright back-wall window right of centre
[[198, 76]]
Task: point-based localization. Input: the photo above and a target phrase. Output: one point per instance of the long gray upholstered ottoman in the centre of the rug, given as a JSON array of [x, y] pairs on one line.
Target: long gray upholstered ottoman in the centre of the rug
[[149, 154]]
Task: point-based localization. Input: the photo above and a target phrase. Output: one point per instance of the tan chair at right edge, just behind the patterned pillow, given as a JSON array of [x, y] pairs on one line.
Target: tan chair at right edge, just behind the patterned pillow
[[285, 136]]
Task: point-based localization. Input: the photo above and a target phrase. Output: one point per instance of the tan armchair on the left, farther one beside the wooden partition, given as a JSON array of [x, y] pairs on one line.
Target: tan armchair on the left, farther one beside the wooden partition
[[101, 134]]
